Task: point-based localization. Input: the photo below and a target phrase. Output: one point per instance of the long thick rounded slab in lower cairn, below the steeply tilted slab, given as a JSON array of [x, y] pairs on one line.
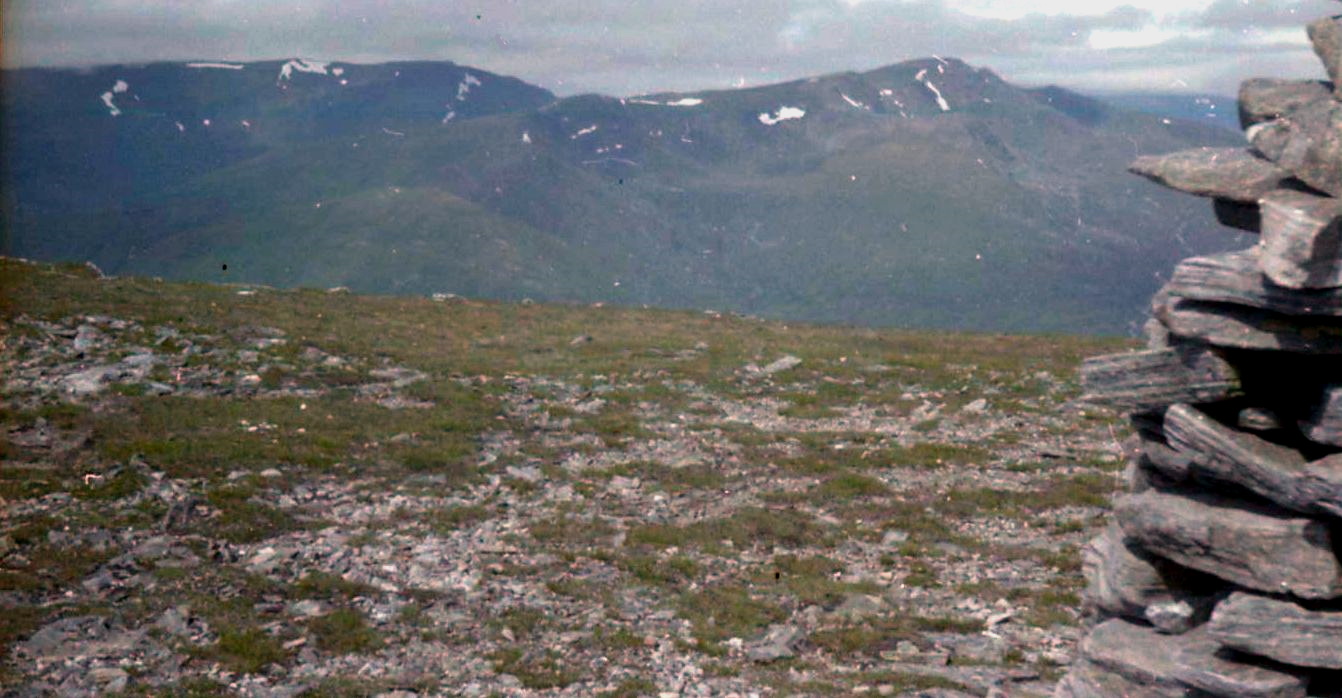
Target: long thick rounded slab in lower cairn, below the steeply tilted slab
[[1235, 542]]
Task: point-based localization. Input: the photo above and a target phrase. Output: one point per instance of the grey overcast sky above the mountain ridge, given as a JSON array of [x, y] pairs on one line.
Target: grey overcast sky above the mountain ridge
[[627, 48]]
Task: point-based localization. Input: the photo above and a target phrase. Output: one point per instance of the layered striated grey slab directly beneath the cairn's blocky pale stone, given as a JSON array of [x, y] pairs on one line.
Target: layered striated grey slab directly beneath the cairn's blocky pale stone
[[1238, 279]]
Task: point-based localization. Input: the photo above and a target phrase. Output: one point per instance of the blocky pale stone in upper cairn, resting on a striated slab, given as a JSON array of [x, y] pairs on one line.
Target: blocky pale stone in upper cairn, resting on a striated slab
[[1302, 241]]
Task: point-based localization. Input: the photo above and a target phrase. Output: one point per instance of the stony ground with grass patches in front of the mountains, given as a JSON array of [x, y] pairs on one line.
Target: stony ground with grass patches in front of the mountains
[[219, 491]]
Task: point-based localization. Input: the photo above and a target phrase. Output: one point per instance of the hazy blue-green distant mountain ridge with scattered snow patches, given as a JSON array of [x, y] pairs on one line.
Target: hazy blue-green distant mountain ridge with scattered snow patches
[[928, 193]]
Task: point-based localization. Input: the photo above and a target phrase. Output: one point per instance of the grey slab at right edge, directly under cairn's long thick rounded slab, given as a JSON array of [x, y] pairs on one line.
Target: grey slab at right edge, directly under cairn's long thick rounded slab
[[1280, 630]]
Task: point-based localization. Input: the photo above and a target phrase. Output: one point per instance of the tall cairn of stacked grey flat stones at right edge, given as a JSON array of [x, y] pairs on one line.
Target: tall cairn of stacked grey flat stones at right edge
[[1222, 572]]
